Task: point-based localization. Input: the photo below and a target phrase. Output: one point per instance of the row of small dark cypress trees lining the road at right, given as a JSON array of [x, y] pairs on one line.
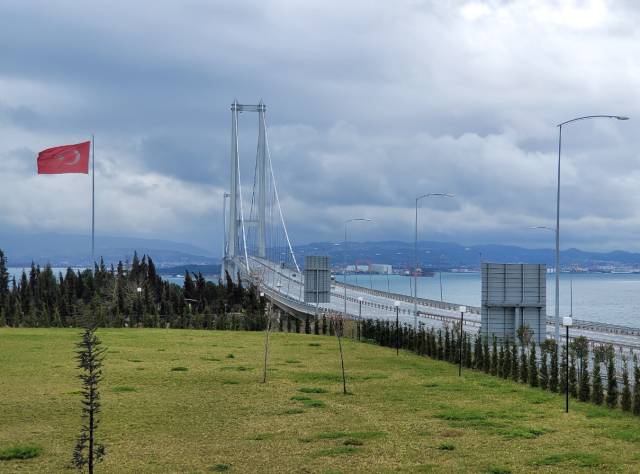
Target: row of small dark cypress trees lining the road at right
[[519, 360]]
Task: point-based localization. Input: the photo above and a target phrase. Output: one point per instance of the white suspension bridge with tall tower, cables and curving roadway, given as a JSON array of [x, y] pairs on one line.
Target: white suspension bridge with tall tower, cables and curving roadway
[[257, 248]]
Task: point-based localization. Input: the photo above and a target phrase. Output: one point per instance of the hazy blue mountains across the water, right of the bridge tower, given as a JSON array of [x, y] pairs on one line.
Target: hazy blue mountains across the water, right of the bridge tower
[[444, 255]]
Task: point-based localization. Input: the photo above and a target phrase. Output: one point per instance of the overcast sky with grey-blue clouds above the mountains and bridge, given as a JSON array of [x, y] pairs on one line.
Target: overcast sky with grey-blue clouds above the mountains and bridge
[[368, 105]]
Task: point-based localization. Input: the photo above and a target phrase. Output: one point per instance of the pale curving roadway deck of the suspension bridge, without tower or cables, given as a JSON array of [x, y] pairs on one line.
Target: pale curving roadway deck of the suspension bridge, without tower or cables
[[285, 287]]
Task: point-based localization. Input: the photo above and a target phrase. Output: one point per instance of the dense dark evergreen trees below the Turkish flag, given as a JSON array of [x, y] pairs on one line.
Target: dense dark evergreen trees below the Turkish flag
[[125, 295]]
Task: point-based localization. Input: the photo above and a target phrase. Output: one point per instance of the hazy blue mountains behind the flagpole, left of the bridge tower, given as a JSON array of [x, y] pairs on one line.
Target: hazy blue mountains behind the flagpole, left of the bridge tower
[[63, 250]]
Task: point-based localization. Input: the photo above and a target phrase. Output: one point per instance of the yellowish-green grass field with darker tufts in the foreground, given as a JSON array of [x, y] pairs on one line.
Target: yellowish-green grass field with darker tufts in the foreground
[[191, 401]]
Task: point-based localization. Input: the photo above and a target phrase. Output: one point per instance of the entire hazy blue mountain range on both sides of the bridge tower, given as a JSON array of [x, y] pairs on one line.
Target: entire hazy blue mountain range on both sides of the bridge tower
[[74, 250]]
